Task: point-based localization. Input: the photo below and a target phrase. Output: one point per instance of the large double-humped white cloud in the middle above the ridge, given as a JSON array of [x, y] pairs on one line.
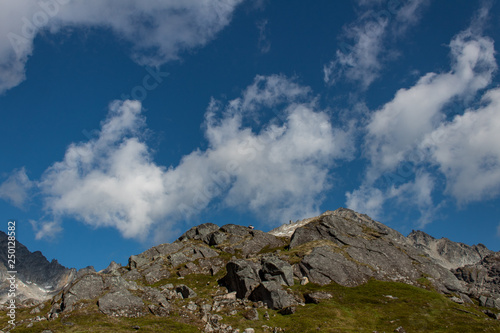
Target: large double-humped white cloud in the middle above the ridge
[[278, 169]]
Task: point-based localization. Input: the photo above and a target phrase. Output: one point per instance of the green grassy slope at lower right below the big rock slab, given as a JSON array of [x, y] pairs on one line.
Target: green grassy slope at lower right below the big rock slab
[[365, 309]]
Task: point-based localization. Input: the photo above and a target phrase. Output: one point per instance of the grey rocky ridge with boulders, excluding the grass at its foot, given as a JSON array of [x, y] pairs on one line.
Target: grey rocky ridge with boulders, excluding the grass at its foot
[[244, 270]]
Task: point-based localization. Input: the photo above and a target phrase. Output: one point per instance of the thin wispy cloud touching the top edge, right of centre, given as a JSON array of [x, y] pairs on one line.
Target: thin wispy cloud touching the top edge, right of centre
[[361, 59]]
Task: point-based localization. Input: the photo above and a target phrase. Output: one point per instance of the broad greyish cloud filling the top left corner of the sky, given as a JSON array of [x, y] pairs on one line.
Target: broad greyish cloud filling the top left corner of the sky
[[157, 30]]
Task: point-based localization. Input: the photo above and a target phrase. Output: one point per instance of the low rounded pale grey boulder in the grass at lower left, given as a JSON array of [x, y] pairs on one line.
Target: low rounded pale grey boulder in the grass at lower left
[[121, 303]]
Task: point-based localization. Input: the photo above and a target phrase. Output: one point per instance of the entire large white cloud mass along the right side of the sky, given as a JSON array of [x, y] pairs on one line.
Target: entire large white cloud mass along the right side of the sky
[[413, 128]]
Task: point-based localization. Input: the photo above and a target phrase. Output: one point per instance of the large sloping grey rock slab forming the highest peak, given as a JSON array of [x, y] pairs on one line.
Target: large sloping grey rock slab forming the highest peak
[[352, 248]]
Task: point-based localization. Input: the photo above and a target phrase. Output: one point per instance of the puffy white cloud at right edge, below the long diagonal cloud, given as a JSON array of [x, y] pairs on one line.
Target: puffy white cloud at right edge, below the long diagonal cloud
[[467, 151]]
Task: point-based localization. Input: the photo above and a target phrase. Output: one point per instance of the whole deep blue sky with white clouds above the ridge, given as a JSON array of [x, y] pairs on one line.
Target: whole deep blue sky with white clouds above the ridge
[[124, 123]]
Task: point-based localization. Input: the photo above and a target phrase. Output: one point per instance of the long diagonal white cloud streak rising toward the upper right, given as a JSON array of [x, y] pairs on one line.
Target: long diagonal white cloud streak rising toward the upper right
[[399, 126]]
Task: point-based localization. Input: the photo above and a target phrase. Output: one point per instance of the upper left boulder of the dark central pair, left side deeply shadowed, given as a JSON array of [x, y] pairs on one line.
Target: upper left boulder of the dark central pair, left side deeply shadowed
[[242, 276]]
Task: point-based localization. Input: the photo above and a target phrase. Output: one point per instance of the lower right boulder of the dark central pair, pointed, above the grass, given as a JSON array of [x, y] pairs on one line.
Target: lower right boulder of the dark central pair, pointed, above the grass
[[272, 294]]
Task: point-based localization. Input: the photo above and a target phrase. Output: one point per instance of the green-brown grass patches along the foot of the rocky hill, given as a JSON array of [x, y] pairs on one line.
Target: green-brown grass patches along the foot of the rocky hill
[[360, 309]]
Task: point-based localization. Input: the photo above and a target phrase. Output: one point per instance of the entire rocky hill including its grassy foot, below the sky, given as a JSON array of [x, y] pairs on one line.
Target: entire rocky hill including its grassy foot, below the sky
[[336, 272]]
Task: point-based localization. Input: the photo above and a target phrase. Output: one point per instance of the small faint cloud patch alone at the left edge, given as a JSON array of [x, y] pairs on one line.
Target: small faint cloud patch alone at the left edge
[[16, 187]]
